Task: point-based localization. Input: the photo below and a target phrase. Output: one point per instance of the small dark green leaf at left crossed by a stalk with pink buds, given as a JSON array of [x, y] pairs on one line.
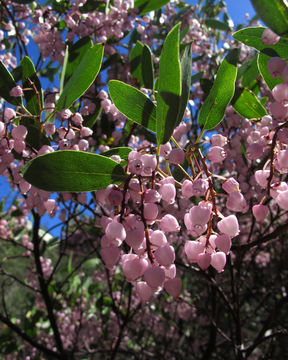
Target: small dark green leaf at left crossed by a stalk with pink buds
[[28, 76]]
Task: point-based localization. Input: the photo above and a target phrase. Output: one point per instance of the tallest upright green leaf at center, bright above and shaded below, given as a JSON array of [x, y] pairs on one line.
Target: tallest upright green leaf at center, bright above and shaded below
[[169, 86]]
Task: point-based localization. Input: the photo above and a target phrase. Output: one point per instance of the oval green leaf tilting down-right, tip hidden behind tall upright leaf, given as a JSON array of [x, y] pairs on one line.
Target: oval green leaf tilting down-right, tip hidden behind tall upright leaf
[[133, 104]]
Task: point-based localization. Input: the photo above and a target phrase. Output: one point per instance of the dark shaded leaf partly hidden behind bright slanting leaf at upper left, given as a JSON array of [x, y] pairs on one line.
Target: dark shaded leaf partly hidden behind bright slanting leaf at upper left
[[76, 52]]
